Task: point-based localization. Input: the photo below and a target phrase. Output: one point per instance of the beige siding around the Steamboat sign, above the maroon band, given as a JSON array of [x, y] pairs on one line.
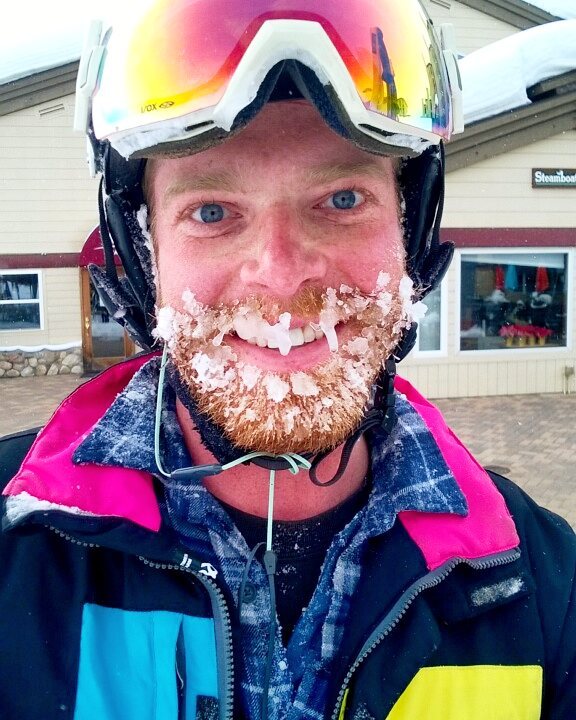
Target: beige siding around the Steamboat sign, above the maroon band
[[498, 192]]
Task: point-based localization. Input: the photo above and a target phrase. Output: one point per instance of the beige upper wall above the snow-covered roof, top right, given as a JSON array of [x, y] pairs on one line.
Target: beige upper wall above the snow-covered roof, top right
[[473, 28]]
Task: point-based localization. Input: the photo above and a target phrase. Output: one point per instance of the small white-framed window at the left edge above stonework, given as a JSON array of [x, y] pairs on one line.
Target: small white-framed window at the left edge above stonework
[[20, 294]]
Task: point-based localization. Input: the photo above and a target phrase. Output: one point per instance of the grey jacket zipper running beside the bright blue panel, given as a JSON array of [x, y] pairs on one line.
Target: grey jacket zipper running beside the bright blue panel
[[222, 622]]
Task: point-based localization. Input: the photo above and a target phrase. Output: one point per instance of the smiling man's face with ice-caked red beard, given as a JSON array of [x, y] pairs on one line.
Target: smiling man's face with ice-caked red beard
[[280, 255]]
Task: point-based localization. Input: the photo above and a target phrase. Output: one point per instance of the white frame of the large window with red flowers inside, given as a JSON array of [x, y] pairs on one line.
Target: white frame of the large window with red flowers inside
[[516, 351]]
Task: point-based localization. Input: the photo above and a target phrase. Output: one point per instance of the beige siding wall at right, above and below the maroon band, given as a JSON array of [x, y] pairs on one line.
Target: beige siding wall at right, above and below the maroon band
[[497, 193]]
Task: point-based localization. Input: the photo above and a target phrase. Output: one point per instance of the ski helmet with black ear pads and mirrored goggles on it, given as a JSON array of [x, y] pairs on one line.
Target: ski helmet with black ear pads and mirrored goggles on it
[[179, 76]]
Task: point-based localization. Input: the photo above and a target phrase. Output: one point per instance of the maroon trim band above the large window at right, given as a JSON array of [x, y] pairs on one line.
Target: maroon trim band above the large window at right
[[510, 237]]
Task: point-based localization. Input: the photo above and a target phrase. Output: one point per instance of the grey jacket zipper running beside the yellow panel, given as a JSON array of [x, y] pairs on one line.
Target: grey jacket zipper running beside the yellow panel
[[430, 580]]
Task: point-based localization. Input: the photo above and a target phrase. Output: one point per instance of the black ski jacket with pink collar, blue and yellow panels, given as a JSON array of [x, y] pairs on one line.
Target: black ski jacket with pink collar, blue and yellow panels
[[104, 615]]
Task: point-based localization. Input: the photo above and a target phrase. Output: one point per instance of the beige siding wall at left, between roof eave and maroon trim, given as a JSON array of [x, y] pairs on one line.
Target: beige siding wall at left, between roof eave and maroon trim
[[47, 199]]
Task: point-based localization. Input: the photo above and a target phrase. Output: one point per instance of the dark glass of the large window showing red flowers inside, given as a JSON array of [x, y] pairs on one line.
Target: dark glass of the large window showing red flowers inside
[[513, 300]]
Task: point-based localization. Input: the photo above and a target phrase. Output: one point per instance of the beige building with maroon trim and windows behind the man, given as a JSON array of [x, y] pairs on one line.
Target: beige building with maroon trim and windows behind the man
[[503, 321]]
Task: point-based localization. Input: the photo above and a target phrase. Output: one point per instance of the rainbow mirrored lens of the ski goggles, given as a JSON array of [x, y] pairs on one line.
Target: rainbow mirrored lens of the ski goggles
[[181, 55]]
